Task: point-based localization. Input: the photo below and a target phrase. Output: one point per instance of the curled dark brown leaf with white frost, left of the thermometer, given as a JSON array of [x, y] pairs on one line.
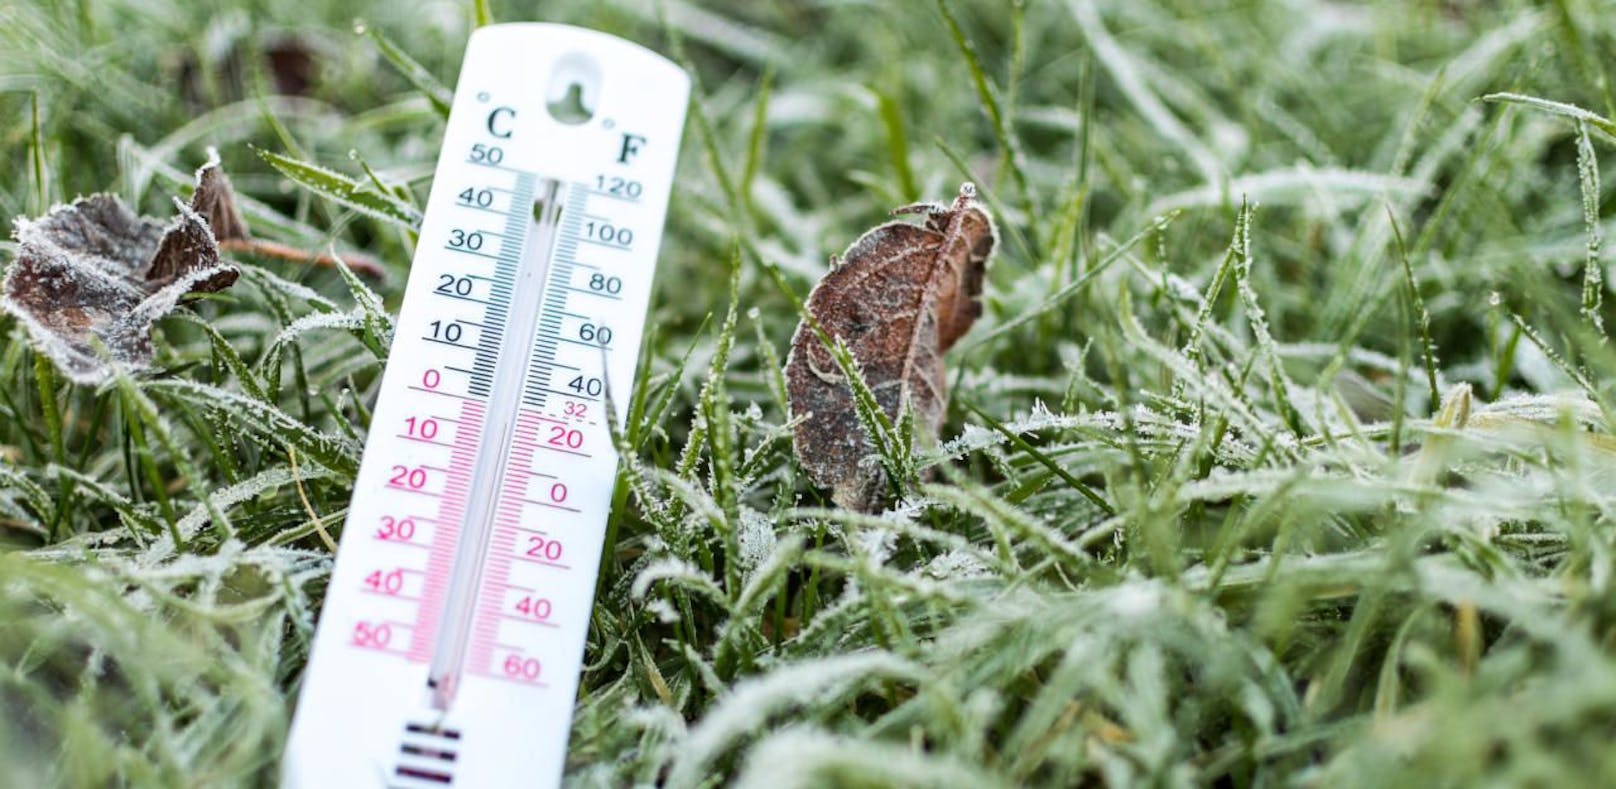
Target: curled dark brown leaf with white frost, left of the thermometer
[[93, 277]]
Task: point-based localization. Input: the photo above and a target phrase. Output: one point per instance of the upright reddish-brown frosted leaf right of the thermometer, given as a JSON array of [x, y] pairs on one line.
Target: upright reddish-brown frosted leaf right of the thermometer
[[901, 297]]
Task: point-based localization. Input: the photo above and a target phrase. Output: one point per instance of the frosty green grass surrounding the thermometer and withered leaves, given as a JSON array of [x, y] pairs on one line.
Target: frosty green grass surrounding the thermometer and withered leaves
[[1282, 455]]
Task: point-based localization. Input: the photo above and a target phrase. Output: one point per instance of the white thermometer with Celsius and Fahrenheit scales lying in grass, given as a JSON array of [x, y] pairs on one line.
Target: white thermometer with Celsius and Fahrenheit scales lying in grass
[[453, 631]]
